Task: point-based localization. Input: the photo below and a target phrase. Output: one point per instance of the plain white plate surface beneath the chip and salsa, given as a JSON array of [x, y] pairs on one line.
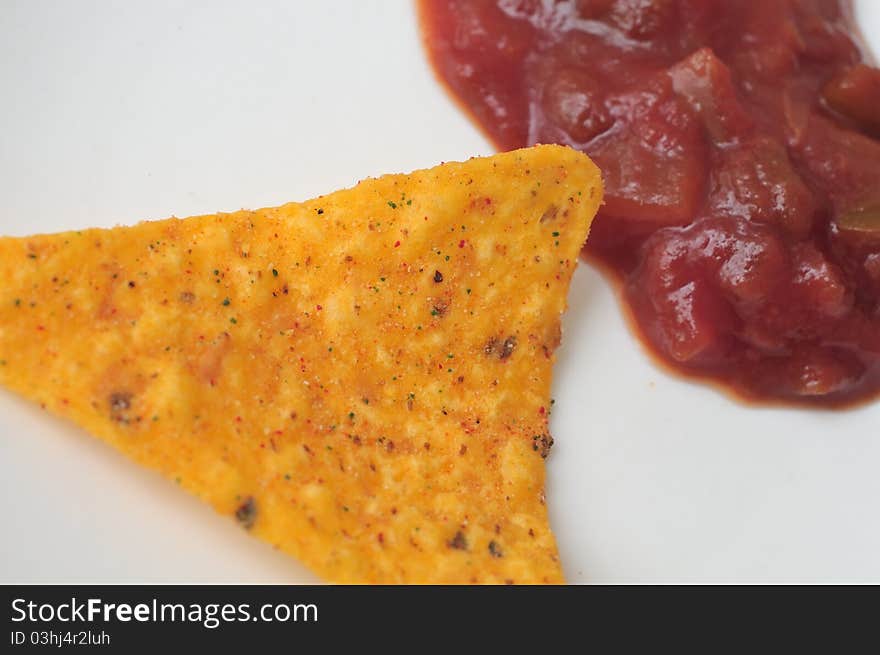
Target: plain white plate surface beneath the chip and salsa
[[115, 112]]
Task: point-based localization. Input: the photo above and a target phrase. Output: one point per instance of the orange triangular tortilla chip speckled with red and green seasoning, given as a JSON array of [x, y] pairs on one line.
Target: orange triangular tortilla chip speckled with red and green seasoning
[[362, 380]]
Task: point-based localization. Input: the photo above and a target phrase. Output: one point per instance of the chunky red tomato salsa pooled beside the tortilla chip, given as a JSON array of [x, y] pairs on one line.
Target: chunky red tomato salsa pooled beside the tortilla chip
[[738, 142]]
